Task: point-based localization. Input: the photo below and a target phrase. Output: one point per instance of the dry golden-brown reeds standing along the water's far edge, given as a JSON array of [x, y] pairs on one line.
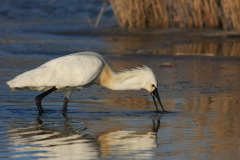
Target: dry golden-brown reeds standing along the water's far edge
[[178, 13]]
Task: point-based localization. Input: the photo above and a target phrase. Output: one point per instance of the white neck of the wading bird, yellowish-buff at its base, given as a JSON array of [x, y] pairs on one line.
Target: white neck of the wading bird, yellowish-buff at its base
[[119, 81]]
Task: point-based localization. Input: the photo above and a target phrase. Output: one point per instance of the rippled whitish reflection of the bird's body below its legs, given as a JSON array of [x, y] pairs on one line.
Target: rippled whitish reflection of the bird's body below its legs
[[57, 141]]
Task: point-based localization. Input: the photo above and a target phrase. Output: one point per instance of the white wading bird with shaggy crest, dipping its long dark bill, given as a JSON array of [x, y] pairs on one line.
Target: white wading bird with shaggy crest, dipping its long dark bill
[[81, 70]]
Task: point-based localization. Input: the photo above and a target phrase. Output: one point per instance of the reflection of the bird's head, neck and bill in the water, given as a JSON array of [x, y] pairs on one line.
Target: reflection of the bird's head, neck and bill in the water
[[124, 143]]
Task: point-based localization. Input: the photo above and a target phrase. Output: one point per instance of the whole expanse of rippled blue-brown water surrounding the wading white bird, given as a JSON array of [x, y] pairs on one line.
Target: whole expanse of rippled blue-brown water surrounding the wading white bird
[[198, 75]]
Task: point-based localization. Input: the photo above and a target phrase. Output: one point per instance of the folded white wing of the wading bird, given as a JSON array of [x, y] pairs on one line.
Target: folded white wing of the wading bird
[[72, 70]]
